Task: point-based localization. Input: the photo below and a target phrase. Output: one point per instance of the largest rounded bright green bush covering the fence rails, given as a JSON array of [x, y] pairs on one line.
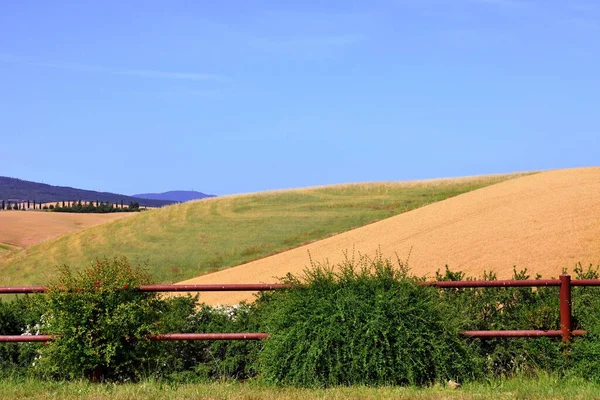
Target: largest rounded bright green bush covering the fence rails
[[370, 323]]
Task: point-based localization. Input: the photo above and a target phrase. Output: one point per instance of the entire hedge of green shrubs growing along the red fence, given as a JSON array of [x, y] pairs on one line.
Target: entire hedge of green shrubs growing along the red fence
[[368, 323]]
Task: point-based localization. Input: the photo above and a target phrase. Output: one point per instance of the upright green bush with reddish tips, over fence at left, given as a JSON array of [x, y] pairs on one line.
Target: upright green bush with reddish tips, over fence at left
[[100, 319]]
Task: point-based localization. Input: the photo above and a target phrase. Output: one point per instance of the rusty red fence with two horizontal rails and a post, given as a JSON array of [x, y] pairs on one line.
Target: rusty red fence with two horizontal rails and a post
[[564, 284]]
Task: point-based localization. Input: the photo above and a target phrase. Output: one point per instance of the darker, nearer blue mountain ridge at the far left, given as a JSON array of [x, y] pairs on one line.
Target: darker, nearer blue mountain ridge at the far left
[[17, 189]]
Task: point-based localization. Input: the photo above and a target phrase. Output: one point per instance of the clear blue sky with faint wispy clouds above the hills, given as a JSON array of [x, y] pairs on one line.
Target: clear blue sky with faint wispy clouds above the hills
[[228, 97]]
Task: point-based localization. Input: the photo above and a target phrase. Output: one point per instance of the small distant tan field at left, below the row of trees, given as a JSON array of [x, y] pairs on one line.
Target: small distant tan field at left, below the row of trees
[[26, 228]]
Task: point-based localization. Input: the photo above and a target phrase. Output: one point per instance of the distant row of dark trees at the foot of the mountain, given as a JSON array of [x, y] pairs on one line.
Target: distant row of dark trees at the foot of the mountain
[[73, 206]]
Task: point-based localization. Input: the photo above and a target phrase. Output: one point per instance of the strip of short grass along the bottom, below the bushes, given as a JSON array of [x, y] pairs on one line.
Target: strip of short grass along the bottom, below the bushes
[[542, 387]]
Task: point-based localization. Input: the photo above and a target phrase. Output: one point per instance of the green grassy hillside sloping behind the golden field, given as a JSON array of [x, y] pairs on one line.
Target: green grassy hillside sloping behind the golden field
[[186, 240]]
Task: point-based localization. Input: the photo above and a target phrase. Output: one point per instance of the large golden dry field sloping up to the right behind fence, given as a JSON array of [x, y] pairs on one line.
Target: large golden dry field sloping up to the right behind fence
[[544, 222]]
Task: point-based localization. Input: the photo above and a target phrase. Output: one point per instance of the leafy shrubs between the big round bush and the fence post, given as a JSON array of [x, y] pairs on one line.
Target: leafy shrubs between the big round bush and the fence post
[[508, 309]]
